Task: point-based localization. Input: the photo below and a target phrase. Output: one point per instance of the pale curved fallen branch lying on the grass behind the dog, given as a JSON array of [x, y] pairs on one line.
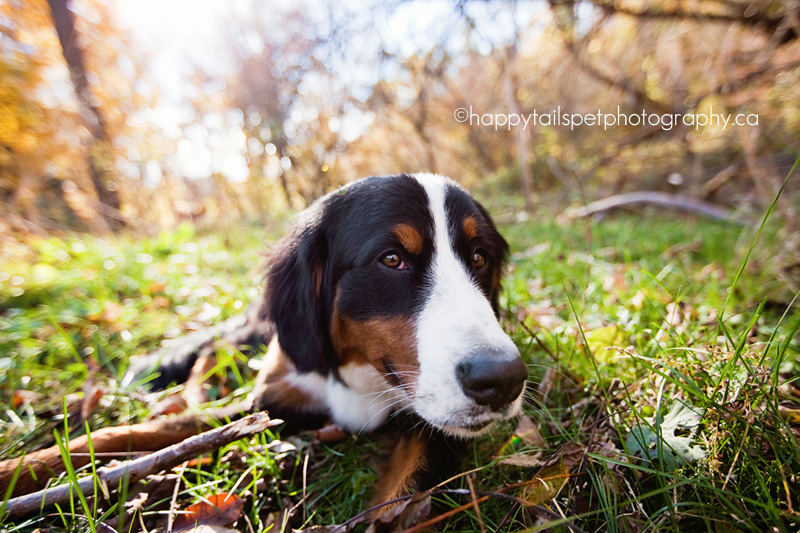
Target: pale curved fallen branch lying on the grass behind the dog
[[672, 201]]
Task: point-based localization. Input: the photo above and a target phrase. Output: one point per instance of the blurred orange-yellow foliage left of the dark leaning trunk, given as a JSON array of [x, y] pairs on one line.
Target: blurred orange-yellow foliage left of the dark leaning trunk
[[38, 168]]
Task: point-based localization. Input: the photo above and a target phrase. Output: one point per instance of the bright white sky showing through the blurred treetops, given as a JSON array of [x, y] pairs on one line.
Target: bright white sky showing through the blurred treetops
[[176, 35]]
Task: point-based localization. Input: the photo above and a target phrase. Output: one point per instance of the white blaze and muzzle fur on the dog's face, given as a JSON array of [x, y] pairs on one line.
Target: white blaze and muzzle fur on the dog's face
[[456, 321]]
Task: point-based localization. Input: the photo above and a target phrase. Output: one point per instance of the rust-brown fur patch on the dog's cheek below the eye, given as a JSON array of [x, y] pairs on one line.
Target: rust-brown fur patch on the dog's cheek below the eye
[[385, 343]]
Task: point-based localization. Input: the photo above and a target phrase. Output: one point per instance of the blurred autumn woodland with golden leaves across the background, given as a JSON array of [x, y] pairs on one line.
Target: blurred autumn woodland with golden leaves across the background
[[301, 101]]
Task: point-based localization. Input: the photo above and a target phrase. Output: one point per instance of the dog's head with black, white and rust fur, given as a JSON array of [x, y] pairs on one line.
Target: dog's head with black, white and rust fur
[[391, 285]]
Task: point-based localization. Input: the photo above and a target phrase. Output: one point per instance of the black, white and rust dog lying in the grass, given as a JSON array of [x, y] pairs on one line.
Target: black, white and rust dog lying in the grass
[[381, 306]]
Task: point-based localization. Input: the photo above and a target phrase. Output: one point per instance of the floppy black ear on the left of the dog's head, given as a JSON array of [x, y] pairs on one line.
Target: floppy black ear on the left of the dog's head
[[297, 299]]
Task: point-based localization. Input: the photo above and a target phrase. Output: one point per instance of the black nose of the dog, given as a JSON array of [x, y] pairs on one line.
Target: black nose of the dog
[[493, 380]]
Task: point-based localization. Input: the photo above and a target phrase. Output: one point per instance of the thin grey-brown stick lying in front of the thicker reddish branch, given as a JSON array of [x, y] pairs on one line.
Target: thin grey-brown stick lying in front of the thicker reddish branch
[[138, 469]]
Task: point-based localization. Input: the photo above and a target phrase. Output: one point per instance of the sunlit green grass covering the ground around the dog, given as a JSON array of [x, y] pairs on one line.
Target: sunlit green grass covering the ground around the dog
[[627, 357]]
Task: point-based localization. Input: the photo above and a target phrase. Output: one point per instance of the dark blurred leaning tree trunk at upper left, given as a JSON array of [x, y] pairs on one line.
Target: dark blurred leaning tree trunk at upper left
[[99, 149]]
